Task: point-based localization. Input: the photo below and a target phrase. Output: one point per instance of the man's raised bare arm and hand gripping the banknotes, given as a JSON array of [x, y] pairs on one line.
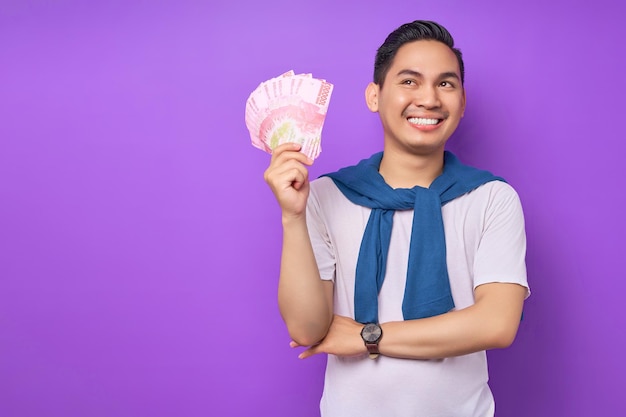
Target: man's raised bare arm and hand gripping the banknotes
[[305, 300]]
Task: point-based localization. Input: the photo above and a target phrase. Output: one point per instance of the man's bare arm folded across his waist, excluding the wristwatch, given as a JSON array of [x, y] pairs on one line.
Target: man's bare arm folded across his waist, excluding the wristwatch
[[490, 323]]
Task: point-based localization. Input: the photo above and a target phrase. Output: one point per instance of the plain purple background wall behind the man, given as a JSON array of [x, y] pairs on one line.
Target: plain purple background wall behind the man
[[139, 245]]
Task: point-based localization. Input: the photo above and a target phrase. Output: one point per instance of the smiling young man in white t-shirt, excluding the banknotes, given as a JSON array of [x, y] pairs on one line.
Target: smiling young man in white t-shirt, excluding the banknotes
[[407, 267]]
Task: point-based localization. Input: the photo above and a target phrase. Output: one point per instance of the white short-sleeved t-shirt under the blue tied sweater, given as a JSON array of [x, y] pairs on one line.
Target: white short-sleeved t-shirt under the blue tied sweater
[[485, 242]]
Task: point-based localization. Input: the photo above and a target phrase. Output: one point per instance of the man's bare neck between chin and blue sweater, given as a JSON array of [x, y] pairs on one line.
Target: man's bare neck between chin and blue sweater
[[403, 170]]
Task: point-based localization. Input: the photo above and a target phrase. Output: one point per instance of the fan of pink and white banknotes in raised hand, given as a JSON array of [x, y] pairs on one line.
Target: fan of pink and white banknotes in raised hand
[[288, 108]]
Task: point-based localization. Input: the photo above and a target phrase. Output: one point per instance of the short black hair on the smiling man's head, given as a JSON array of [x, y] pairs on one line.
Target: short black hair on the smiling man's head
[[410, 32]]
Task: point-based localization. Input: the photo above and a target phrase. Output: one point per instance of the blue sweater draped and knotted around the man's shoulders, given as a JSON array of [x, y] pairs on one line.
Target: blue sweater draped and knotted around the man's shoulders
[[427, 292]]
